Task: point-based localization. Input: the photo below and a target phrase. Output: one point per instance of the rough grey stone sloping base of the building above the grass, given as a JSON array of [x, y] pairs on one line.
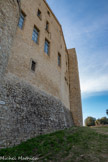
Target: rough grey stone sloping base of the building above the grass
[[26, 112]]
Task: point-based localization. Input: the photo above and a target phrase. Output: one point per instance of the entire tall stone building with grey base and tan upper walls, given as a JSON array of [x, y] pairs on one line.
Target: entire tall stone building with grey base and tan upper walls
[[40, 89]]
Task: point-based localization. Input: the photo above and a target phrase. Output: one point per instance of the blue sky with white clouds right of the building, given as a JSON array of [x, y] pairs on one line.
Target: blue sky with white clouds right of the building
[[85, 27]]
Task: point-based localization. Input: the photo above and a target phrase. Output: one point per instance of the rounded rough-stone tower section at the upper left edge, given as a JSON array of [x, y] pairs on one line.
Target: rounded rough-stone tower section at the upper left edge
[[9, 14]]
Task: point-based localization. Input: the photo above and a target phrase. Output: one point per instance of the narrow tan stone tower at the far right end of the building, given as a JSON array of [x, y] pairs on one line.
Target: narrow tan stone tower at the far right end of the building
[[75, 96]]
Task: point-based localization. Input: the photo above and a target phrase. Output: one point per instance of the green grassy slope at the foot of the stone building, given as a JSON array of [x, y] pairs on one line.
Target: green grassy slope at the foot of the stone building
[[70, 145]]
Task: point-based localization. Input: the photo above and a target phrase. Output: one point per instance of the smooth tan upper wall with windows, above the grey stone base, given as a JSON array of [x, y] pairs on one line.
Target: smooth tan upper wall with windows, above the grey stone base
[[48, 76]]
